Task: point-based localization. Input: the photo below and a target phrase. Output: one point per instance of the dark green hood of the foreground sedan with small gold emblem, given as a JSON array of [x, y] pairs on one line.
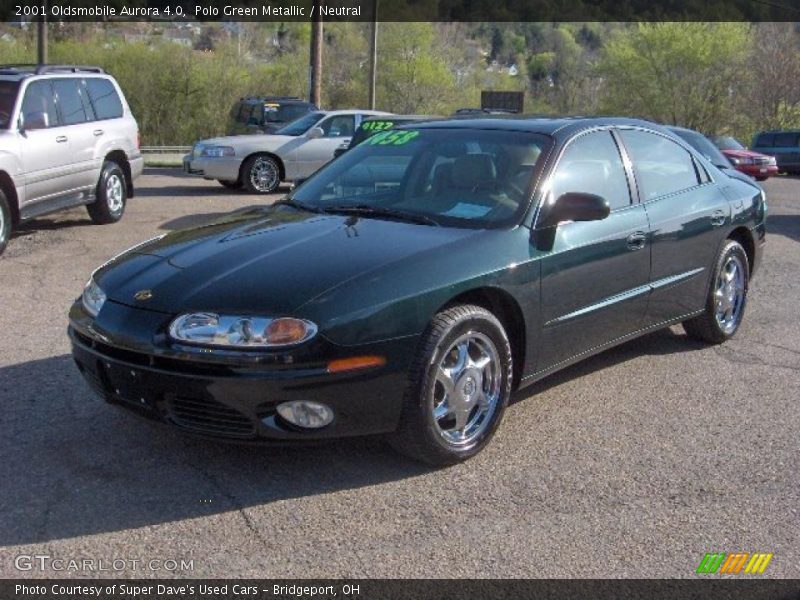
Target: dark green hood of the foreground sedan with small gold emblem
[[266, 261]]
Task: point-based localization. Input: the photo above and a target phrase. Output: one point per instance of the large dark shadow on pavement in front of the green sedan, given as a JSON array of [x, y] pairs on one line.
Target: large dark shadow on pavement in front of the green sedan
[[75, 466]]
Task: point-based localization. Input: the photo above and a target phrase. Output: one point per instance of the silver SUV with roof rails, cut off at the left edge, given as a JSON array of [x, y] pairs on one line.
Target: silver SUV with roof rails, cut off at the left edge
[[67, 138]]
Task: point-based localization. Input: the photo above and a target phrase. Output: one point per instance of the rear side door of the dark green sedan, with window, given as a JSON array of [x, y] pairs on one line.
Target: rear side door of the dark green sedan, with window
[[687, 213]]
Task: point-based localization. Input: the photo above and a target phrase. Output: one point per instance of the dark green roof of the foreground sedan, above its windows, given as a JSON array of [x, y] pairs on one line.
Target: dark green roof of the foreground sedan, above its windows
[[548, 125]]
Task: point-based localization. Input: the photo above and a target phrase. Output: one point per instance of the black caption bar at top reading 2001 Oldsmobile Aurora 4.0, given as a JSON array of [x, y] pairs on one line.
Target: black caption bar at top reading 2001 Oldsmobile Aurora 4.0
[[403, 10]]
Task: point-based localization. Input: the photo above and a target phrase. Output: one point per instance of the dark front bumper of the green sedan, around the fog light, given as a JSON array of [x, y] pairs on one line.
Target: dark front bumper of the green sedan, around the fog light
[[215, 397]]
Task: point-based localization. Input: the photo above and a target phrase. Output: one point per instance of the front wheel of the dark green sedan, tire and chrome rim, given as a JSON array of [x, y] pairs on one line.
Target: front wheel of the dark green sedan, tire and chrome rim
[[458, 388]]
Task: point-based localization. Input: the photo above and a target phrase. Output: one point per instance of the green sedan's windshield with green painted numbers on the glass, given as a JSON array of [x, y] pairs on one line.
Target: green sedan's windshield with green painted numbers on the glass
[[453, 177]]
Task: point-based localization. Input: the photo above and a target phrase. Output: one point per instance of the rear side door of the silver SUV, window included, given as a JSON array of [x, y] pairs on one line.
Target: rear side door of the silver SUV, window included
[[77, 119]]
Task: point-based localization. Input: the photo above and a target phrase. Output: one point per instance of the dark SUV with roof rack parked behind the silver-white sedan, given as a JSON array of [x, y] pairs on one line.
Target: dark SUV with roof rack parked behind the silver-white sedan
[[267, 114]]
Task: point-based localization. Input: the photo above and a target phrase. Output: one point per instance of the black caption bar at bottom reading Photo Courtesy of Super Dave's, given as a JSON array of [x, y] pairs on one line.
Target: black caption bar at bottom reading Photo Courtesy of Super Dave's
[[370, 589]]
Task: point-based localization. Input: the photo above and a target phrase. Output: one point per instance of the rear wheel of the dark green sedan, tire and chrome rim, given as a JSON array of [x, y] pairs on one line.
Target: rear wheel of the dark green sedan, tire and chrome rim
[[727, 297]]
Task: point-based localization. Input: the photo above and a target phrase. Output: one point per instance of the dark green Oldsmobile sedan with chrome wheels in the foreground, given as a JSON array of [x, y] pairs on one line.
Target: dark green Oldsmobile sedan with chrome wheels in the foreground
[[409, 286]]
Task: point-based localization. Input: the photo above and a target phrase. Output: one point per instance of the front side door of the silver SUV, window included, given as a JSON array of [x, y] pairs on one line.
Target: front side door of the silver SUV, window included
[[44, 144]]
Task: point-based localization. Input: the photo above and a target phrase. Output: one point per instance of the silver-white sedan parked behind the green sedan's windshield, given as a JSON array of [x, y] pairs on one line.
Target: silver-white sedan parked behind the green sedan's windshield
[[260, 162]]
